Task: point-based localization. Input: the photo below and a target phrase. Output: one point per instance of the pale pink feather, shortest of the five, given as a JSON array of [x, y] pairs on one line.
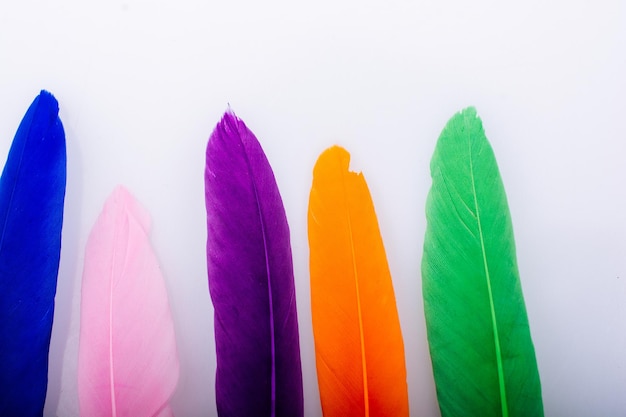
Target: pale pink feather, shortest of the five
[[127, 359]]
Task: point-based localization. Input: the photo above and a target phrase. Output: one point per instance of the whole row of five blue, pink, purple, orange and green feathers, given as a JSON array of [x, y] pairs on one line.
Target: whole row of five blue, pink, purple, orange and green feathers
[[481, 350]]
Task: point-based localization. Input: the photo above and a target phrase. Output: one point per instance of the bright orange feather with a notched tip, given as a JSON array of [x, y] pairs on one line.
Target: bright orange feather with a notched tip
[[358, 342]]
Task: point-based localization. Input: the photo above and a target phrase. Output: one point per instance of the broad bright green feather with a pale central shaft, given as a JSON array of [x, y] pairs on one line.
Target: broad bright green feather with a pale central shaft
[[480, 345]]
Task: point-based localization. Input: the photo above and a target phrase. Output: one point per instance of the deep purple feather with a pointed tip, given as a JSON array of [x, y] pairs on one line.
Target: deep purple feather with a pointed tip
[[250, 279]]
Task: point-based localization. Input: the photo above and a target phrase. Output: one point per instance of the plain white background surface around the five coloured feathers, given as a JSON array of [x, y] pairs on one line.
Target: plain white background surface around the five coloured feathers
[[141, 84]]
